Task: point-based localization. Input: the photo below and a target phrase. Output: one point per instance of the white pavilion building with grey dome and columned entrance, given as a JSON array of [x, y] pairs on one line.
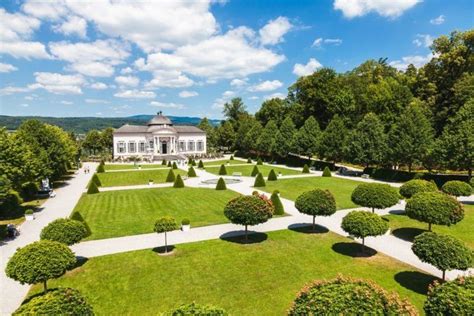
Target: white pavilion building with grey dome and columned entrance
[[157, 139]]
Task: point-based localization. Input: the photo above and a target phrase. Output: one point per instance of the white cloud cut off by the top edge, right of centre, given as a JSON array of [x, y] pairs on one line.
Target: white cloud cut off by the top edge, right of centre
[[387, 8]]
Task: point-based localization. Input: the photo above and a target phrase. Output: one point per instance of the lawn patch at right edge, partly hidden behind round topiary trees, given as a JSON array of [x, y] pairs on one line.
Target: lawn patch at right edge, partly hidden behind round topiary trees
[[407, 228]]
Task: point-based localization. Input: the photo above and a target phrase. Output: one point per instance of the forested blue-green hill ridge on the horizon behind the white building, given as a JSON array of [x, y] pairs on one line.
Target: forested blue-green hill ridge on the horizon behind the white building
[[81, 125]]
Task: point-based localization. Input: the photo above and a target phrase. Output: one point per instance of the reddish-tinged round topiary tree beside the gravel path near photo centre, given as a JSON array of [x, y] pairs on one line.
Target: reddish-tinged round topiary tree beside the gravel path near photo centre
[[248, 210]]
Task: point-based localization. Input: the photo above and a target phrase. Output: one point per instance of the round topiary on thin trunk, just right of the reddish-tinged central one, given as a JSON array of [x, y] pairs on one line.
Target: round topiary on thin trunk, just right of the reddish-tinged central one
[[316, 203]]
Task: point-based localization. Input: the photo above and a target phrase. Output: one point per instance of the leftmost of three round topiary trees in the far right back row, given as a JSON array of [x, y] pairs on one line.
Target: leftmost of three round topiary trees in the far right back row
[[375, 195]]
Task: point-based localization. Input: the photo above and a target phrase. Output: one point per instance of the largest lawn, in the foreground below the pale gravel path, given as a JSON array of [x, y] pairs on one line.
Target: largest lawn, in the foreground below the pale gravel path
[[253, 279]]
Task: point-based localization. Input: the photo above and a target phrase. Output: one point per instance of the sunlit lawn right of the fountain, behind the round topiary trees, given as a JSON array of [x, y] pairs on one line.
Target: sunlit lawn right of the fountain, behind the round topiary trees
[[292, 188]]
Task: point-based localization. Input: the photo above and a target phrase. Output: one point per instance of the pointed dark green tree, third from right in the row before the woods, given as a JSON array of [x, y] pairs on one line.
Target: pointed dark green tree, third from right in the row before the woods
[[368, 142]]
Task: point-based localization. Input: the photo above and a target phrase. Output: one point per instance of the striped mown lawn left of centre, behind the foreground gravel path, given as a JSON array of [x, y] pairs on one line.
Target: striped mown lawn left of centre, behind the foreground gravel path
[[131, 212]]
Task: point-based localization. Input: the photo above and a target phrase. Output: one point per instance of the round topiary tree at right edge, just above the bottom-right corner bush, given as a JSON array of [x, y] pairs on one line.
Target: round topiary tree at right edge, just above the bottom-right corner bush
[[442, 251]]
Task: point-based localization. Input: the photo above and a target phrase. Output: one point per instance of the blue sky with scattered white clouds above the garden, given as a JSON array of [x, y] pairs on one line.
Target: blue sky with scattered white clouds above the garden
[[187, 58]]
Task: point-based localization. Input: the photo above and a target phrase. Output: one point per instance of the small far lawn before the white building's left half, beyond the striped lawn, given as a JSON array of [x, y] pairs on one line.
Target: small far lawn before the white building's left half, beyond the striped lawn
[[112, 179]]
